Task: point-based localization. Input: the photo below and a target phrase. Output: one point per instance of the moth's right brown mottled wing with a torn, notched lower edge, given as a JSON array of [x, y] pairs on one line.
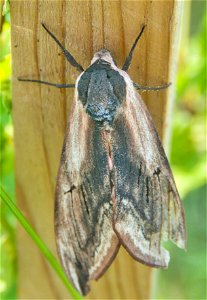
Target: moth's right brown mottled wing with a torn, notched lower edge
[[147, 207]]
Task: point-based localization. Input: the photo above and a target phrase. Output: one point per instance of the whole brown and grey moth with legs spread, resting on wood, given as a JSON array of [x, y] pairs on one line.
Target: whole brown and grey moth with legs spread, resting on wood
[[114, 186]]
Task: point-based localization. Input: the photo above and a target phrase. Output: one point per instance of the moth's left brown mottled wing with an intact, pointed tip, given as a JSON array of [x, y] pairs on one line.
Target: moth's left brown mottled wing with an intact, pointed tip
[[83, 212]]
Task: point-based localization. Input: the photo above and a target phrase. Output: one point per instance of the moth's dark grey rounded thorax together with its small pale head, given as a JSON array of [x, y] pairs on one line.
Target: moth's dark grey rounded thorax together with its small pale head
[[101, 89]]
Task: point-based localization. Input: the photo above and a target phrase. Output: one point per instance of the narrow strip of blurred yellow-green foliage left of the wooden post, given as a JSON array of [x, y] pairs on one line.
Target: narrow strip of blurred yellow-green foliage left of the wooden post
[[7, 236]]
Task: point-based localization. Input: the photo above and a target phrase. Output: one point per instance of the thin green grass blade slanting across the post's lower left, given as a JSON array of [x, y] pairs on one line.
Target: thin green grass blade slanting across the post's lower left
[[39, 242]]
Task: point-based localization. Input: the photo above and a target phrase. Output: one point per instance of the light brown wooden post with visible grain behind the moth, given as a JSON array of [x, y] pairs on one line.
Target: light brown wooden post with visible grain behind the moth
[[40, 113]]
